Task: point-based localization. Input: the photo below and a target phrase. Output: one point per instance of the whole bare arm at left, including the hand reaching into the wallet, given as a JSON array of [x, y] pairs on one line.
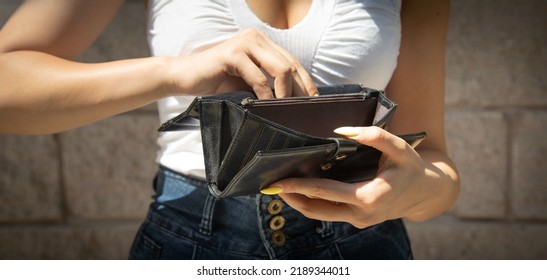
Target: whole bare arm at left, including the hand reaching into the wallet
[[42, 90]]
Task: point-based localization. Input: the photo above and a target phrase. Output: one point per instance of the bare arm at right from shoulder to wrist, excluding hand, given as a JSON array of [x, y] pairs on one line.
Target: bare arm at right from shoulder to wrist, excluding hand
[[418, 85]]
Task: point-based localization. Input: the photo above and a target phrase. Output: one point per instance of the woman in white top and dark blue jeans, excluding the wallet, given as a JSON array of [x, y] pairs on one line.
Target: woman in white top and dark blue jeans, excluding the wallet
[[209, 47]]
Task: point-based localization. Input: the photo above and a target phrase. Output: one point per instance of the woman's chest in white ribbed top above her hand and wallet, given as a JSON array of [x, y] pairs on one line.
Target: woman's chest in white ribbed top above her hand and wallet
[[336, 41]]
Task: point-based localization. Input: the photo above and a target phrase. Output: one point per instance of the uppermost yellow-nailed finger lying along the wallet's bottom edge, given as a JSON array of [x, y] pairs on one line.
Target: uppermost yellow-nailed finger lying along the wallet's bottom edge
[[326, 189]]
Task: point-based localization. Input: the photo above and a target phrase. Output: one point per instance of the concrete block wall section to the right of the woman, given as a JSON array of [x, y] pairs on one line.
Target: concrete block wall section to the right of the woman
[[497, 130]]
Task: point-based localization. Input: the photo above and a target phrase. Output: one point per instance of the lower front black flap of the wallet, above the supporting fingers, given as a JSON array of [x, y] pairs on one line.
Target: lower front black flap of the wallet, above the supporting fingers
[[346, 161]]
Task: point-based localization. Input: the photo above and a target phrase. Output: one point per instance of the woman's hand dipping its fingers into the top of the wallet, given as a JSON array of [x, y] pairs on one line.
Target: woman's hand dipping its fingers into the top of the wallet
[[246, 59]]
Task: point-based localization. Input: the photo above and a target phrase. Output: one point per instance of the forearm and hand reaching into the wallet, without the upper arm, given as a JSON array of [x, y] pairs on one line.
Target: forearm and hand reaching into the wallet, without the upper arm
[[42, 93]]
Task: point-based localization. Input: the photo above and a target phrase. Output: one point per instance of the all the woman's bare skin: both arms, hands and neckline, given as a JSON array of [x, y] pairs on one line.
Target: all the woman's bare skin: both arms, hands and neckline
[[44, 90]]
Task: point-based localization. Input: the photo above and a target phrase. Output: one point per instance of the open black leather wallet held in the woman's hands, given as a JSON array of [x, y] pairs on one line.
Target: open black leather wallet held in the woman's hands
[[249, 143]]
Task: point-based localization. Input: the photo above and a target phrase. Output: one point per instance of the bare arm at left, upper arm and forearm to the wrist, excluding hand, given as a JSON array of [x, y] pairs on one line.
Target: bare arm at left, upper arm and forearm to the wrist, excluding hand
[[42, 90]]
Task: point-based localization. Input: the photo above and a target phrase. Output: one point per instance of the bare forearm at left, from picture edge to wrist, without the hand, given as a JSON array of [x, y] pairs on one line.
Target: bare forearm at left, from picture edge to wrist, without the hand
[[43, 94]]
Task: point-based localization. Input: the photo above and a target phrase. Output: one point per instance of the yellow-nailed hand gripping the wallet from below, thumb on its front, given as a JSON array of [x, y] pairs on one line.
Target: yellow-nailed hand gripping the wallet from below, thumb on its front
[[403, 182]]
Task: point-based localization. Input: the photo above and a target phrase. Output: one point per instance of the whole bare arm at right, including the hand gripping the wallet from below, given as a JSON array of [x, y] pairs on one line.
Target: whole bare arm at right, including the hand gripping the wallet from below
[[417, 185]]
